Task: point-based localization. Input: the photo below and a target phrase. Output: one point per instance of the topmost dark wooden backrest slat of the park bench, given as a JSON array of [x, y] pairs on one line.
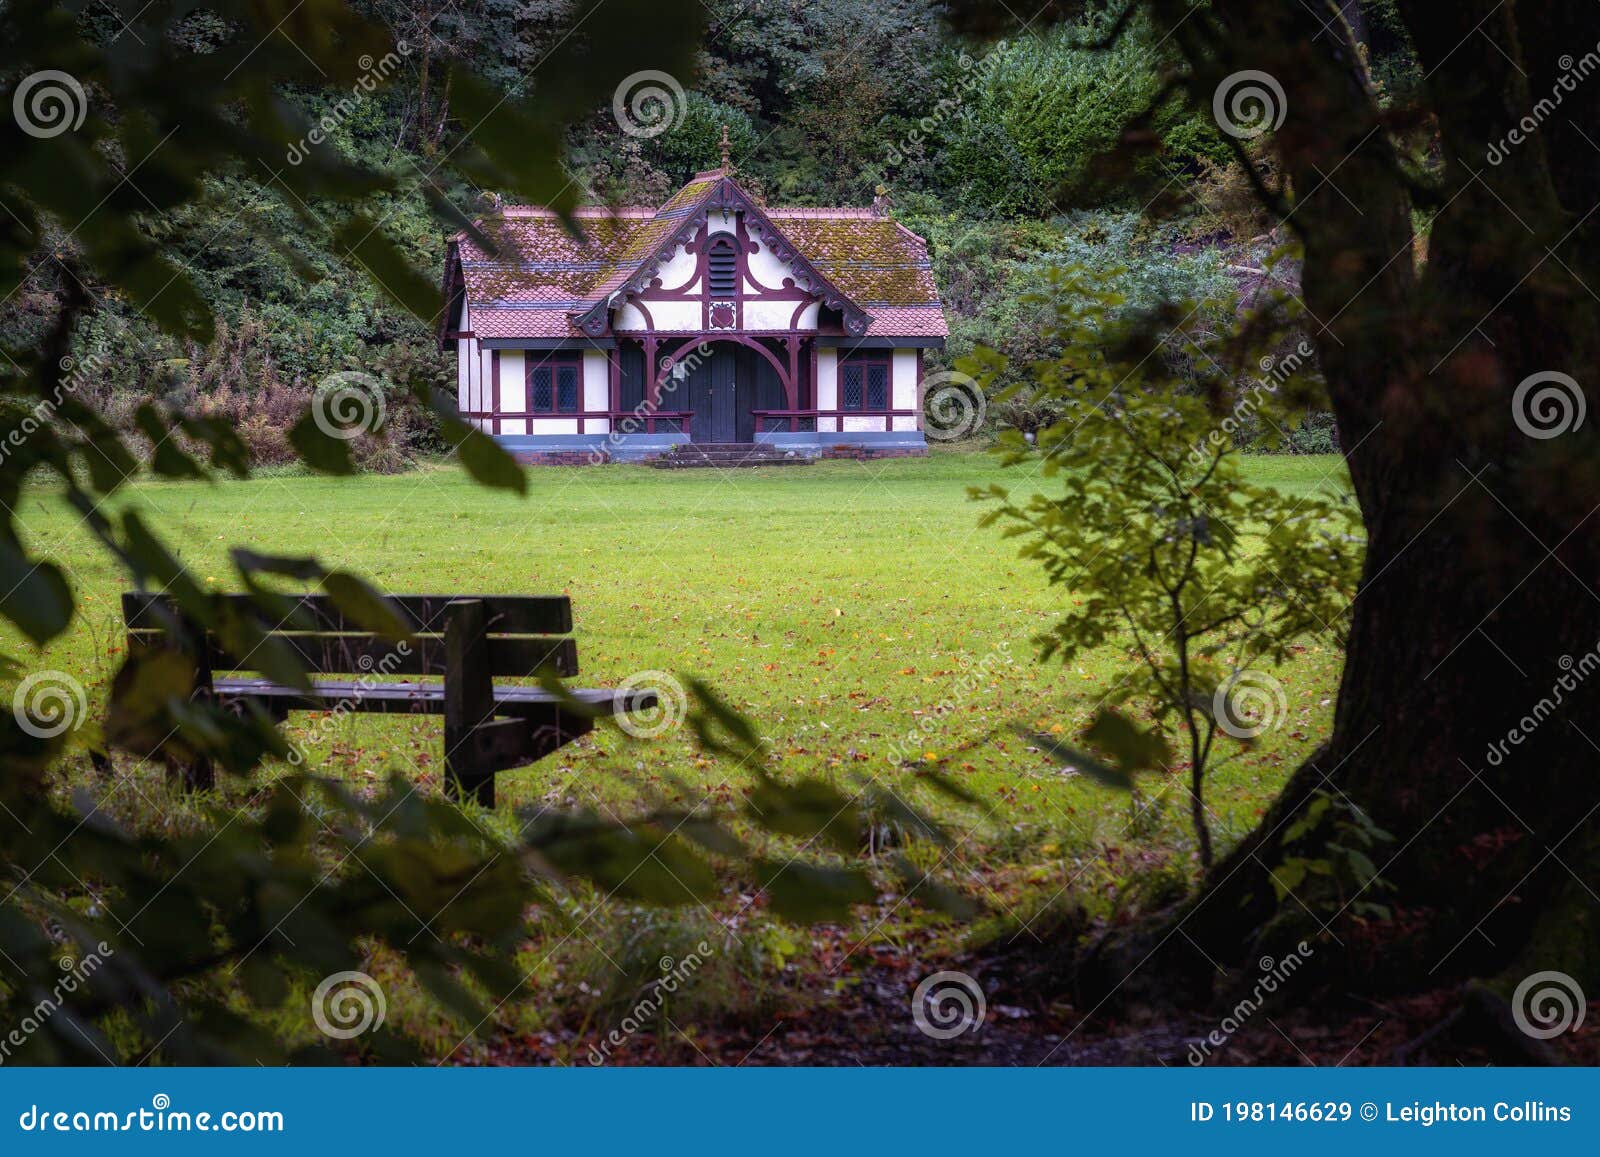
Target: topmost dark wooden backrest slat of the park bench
[[508, 615]]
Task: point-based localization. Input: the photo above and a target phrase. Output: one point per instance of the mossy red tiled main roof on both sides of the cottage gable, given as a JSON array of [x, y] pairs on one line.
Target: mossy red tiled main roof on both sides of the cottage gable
[[545, 276]]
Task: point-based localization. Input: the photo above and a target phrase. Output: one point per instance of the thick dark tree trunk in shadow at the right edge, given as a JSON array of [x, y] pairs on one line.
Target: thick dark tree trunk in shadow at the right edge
[[1468, 721]]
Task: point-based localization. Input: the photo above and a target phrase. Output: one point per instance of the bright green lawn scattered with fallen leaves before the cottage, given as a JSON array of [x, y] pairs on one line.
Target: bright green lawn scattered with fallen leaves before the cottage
[[836, 606]]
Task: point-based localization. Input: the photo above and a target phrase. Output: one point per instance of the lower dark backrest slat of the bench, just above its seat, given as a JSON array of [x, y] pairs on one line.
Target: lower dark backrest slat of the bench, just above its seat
[[425, 655]]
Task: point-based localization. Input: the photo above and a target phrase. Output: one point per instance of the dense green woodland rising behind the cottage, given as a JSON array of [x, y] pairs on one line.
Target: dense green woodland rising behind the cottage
[[994, 151]]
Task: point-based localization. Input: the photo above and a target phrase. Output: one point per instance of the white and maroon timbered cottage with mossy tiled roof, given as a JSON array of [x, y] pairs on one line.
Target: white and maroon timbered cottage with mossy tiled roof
[[706, 321]]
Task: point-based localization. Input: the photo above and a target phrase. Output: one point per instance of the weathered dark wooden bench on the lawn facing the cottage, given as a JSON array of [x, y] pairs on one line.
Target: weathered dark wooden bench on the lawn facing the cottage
[[466, 641]]
